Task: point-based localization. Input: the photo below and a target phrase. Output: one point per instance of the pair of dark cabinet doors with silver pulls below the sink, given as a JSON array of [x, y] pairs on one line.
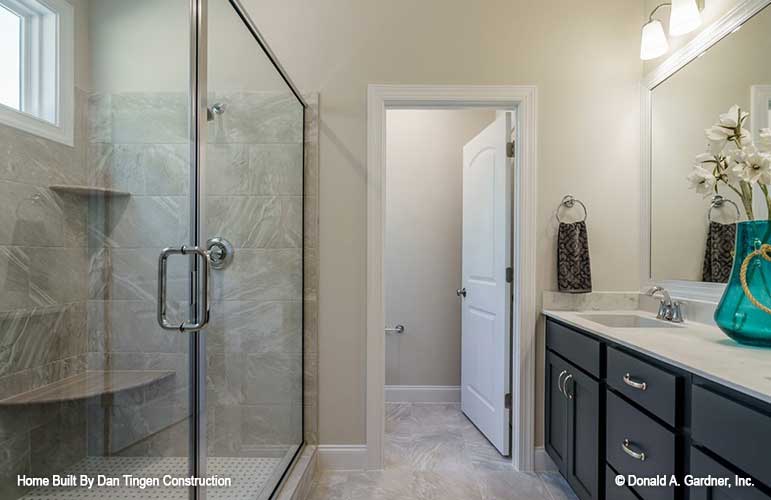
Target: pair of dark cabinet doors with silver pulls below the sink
[[573, 419]]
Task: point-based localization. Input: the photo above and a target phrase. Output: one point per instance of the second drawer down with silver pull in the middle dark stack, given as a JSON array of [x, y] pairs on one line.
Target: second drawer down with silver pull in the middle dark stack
[[644, 435]]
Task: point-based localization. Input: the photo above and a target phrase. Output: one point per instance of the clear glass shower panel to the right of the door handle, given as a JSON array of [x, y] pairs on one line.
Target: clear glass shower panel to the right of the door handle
[[253, 185]]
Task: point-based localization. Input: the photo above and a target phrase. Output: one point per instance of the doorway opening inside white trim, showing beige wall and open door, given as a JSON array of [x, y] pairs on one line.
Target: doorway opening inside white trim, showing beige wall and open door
[[446, 203]]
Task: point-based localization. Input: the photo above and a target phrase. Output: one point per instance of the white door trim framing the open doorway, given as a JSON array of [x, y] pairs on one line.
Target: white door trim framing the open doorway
[[523, 99]]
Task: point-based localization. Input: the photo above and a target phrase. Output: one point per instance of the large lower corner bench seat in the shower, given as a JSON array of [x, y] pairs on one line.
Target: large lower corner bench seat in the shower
[[89, 384]]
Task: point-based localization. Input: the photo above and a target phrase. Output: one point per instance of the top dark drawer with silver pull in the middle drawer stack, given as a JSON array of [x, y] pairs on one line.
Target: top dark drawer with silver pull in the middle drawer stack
[[649, 386]]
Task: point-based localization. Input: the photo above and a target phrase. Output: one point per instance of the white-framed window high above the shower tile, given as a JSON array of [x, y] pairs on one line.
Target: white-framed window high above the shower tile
[[36, 67]]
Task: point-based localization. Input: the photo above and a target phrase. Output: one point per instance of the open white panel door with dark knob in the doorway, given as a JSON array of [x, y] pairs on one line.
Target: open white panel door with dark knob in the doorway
[[486, 309]]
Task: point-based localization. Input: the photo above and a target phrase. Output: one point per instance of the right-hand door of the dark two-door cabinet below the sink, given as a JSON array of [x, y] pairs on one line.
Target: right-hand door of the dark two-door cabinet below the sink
[[583, 459]]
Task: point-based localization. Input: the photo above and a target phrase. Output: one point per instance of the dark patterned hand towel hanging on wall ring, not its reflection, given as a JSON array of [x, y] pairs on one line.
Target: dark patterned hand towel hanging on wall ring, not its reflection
[[574, 270]]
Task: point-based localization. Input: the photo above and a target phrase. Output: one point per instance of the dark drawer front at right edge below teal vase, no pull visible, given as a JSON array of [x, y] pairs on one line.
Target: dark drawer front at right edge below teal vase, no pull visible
[[738, 433]]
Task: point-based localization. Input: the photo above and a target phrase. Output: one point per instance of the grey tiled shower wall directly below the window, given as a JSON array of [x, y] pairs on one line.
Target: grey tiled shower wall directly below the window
[[43, 266]]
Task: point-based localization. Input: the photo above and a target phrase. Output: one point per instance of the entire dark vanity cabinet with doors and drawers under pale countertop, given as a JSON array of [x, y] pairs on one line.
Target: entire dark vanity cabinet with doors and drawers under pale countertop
[[613, 411]]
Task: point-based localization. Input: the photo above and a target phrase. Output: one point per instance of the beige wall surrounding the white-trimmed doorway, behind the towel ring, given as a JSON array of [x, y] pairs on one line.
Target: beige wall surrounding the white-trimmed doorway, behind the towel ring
[[583, 56]]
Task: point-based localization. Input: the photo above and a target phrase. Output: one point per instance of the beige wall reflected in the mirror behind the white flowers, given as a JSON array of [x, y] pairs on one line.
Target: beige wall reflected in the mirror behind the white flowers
[[683, 106]]
